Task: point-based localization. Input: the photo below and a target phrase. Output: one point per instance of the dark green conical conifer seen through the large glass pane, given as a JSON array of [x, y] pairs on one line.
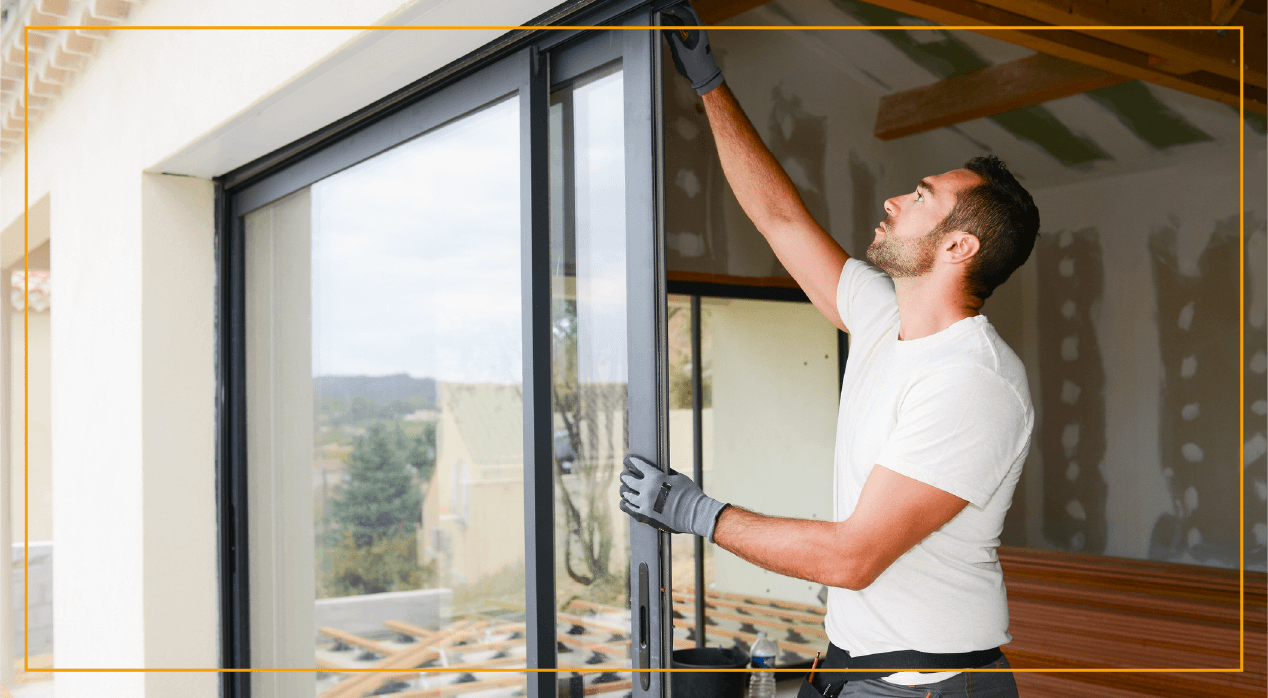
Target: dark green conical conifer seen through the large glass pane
[[381, 498]]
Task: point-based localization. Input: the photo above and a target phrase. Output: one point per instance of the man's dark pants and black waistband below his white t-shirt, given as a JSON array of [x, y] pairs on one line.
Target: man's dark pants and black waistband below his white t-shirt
[[967, 685]]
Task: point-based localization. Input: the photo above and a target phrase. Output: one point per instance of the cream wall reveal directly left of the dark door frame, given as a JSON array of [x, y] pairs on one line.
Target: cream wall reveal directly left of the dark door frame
[[178, 437]]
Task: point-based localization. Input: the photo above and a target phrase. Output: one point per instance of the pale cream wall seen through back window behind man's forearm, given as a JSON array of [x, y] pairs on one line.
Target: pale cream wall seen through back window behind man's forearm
[[775, 378]]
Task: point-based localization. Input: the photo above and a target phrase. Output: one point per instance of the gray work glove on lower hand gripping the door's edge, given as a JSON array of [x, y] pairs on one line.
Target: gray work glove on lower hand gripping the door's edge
[[670, 502]]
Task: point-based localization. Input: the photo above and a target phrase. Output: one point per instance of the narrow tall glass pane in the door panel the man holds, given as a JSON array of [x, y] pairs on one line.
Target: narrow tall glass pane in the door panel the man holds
[[592, 421]]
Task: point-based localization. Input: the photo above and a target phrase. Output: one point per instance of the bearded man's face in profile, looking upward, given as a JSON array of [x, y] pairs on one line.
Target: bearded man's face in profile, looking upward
[[906, 244]]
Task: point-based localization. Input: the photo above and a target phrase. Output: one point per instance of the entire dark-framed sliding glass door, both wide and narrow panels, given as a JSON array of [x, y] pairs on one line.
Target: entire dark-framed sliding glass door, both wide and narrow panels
[[441, 333]]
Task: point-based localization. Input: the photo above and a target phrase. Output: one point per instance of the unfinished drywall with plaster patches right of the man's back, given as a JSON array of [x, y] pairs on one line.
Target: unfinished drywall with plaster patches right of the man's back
[[1168, 328]]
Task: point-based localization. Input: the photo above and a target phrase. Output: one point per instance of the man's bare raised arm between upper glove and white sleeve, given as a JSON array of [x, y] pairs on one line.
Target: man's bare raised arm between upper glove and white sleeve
[[773, 202]]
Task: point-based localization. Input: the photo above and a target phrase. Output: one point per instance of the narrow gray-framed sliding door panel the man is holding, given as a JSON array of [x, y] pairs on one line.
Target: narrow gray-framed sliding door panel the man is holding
[[607, 308]]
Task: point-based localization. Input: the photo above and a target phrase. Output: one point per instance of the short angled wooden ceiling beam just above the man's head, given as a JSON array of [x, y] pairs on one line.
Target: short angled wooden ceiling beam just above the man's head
[[982, 93]]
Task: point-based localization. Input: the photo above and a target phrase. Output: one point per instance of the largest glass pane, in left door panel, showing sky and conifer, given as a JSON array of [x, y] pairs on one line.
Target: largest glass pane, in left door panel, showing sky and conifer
[[409, 308]]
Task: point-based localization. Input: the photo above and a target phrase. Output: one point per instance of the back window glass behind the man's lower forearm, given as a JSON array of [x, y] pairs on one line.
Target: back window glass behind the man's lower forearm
[[770, 400]]
